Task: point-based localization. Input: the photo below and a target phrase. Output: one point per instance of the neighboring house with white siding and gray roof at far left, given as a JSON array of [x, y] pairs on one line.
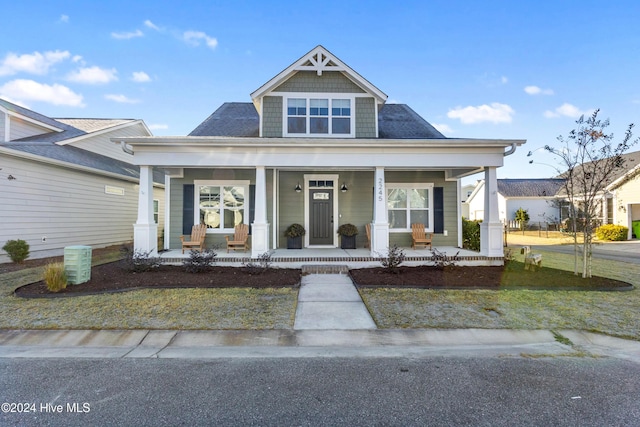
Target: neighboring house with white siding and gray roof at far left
[[63, 182]]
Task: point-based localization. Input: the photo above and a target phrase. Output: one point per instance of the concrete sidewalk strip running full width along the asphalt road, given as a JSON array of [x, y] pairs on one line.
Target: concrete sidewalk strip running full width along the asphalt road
[[308, 343]]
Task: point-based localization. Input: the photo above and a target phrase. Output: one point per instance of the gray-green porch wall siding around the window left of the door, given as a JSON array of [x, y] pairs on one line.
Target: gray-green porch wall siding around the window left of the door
[[190, 175]]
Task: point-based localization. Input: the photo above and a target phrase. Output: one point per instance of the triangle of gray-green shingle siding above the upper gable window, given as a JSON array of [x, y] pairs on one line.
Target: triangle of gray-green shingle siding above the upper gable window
[[309, 81]]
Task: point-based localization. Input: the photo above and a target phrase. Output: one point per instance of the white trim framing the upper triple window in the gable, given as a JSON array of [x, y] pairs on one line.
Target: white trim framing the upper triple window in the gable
[[308, 96]]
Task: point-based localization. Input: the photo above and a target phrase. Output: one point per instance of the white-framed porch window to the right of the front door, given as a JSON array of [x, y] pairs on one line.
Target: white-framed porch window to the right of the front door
[[409, 204]]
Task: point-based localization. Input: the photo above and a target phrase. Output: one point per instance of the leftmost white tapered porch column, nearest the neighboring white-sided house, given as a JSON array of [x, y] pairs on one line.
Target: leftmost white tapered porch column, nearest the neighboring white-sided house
[[145, 230]]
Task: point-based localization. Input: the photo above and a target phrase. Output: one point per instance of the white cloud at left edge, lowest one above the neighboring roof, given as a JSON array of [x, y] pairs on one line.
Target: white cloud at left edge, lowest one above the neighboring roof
[[29, 90]]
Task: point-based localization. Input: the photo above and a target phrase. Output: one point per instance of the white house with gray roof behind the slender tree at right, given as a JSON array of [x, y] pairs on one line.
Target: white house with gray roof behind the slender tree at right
[[536, 196]]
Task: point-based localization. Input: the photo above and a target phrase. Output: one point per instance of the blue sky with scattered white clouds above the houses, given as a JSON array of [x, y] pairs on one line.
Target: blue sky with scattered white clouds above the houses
[[474, 69]]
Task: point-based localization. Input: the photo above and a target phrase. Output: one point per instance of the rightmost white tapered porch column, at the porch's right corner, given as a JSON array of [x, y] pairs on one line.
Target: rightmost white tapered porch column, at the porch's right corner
[[491, 227]]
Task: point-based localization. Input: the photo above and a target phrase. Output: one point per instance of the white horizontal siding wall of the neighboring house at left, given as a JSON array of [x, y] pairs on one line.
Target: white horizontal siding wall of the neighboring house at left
[[67, 207]]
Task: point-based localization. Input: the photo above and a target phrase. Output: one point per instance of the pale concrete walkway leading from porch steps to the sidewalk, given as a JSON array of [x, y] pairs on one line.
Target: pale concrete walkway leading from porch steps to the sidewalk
[[330, 301]]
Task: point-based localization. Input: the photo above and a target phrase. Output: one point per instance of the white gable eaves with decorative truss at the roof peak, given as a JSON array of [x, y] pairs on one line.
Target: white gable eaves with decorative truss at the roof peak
[[319, 59]]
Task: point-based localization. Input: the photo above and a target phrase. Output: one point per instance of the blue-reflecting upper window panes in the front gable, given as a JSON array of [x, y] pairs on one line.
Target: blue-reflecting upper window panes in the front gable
[[319, 117]]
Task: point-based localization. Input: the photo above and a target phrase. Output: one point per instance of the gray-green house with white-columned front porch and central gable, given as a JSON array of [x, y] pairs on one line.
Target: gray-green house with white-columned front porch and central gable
[[319, 146]]
